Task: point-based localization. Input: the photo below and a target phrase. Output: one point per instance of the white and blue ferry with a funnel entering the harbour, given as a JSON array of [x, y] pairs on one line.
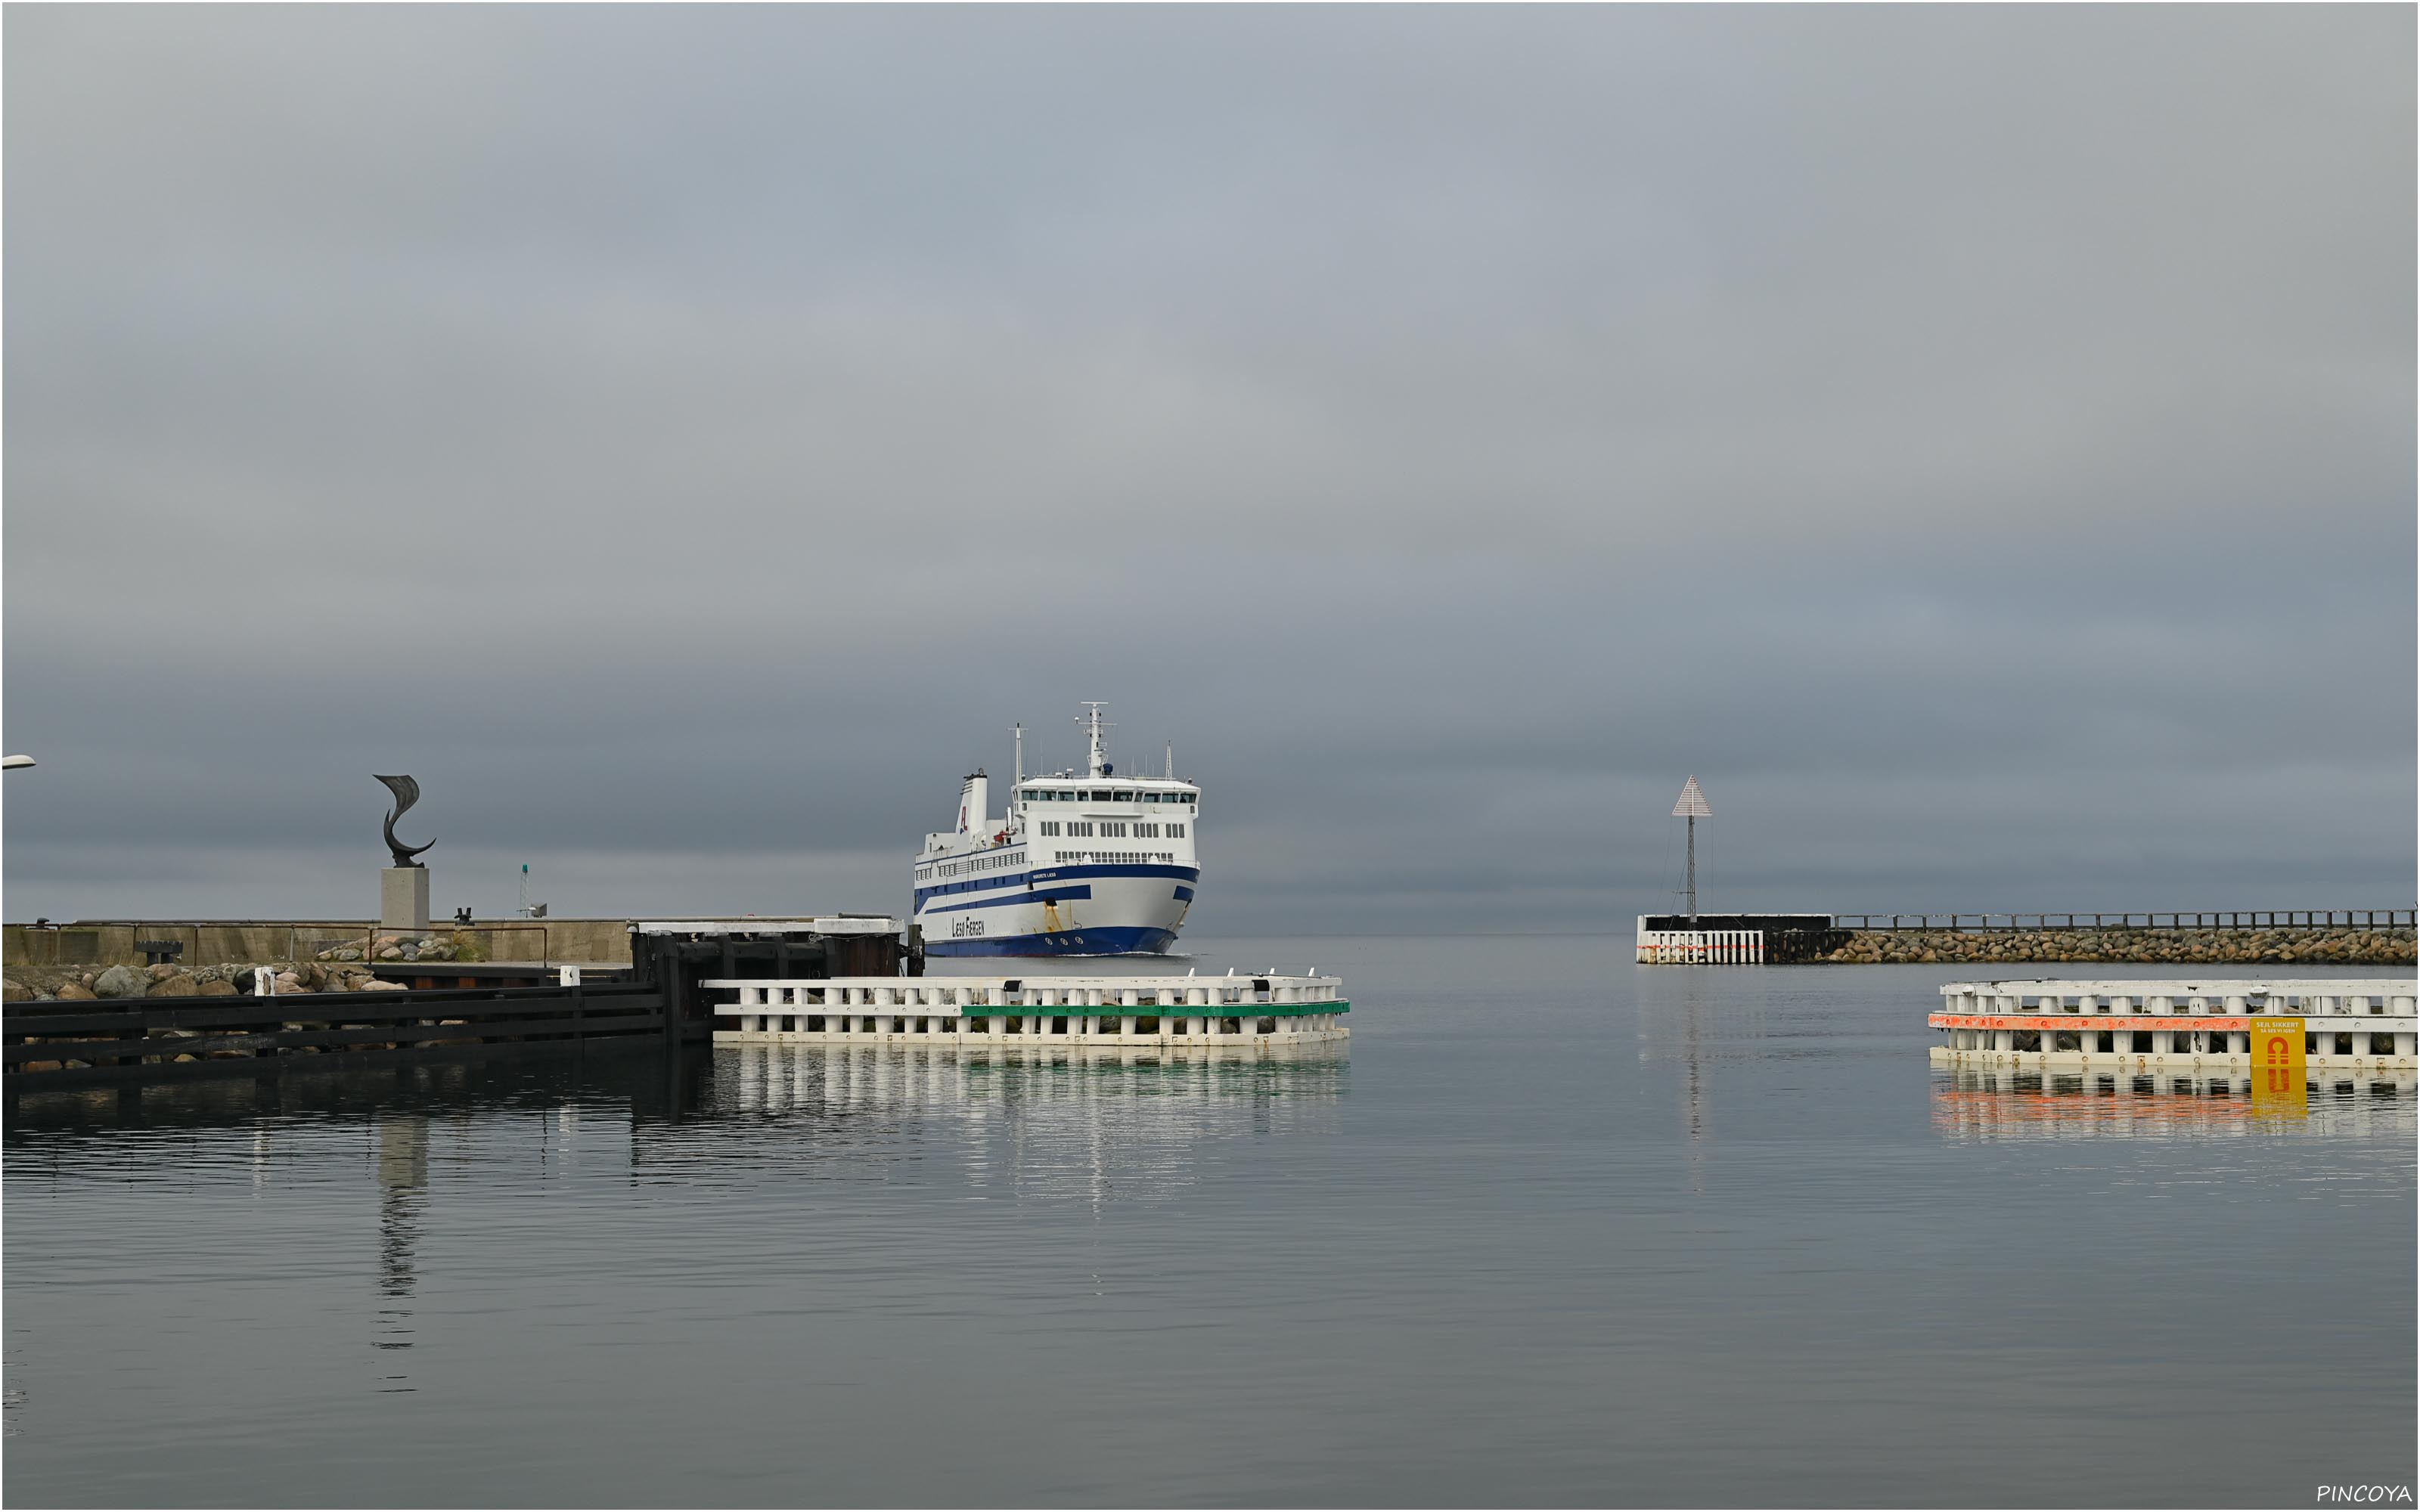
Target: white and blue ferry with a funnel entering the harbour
[[1081, 865]]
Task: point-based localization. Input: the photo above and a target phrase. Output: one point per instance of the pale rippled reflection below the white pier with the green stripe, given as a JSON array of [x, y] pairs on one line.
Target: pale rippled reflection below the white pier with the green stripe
[[1047, 1126]]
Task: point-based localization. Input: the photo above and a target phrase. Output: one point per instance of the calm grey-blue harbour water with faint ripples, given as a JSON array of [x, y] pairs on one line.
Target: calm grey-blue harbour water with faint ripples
[[1552, 1230]]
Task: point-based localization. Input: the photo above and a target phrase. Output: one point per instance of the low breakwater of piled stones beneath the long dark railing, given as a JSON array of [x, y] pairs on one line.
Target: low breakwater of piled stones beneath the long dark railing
[[2150, 947]]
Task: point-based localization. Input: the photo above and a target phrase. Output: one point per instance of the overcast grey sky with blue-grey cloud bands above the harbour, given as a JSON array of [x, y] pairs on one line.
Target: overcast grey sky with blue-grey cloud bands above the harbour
[[1978, 444]]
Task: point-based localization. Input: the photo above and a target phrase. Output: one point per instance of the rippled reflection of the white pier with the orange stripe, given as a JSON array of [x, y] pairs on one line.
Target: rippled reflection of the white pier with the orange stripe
[[2104, 1104]]
